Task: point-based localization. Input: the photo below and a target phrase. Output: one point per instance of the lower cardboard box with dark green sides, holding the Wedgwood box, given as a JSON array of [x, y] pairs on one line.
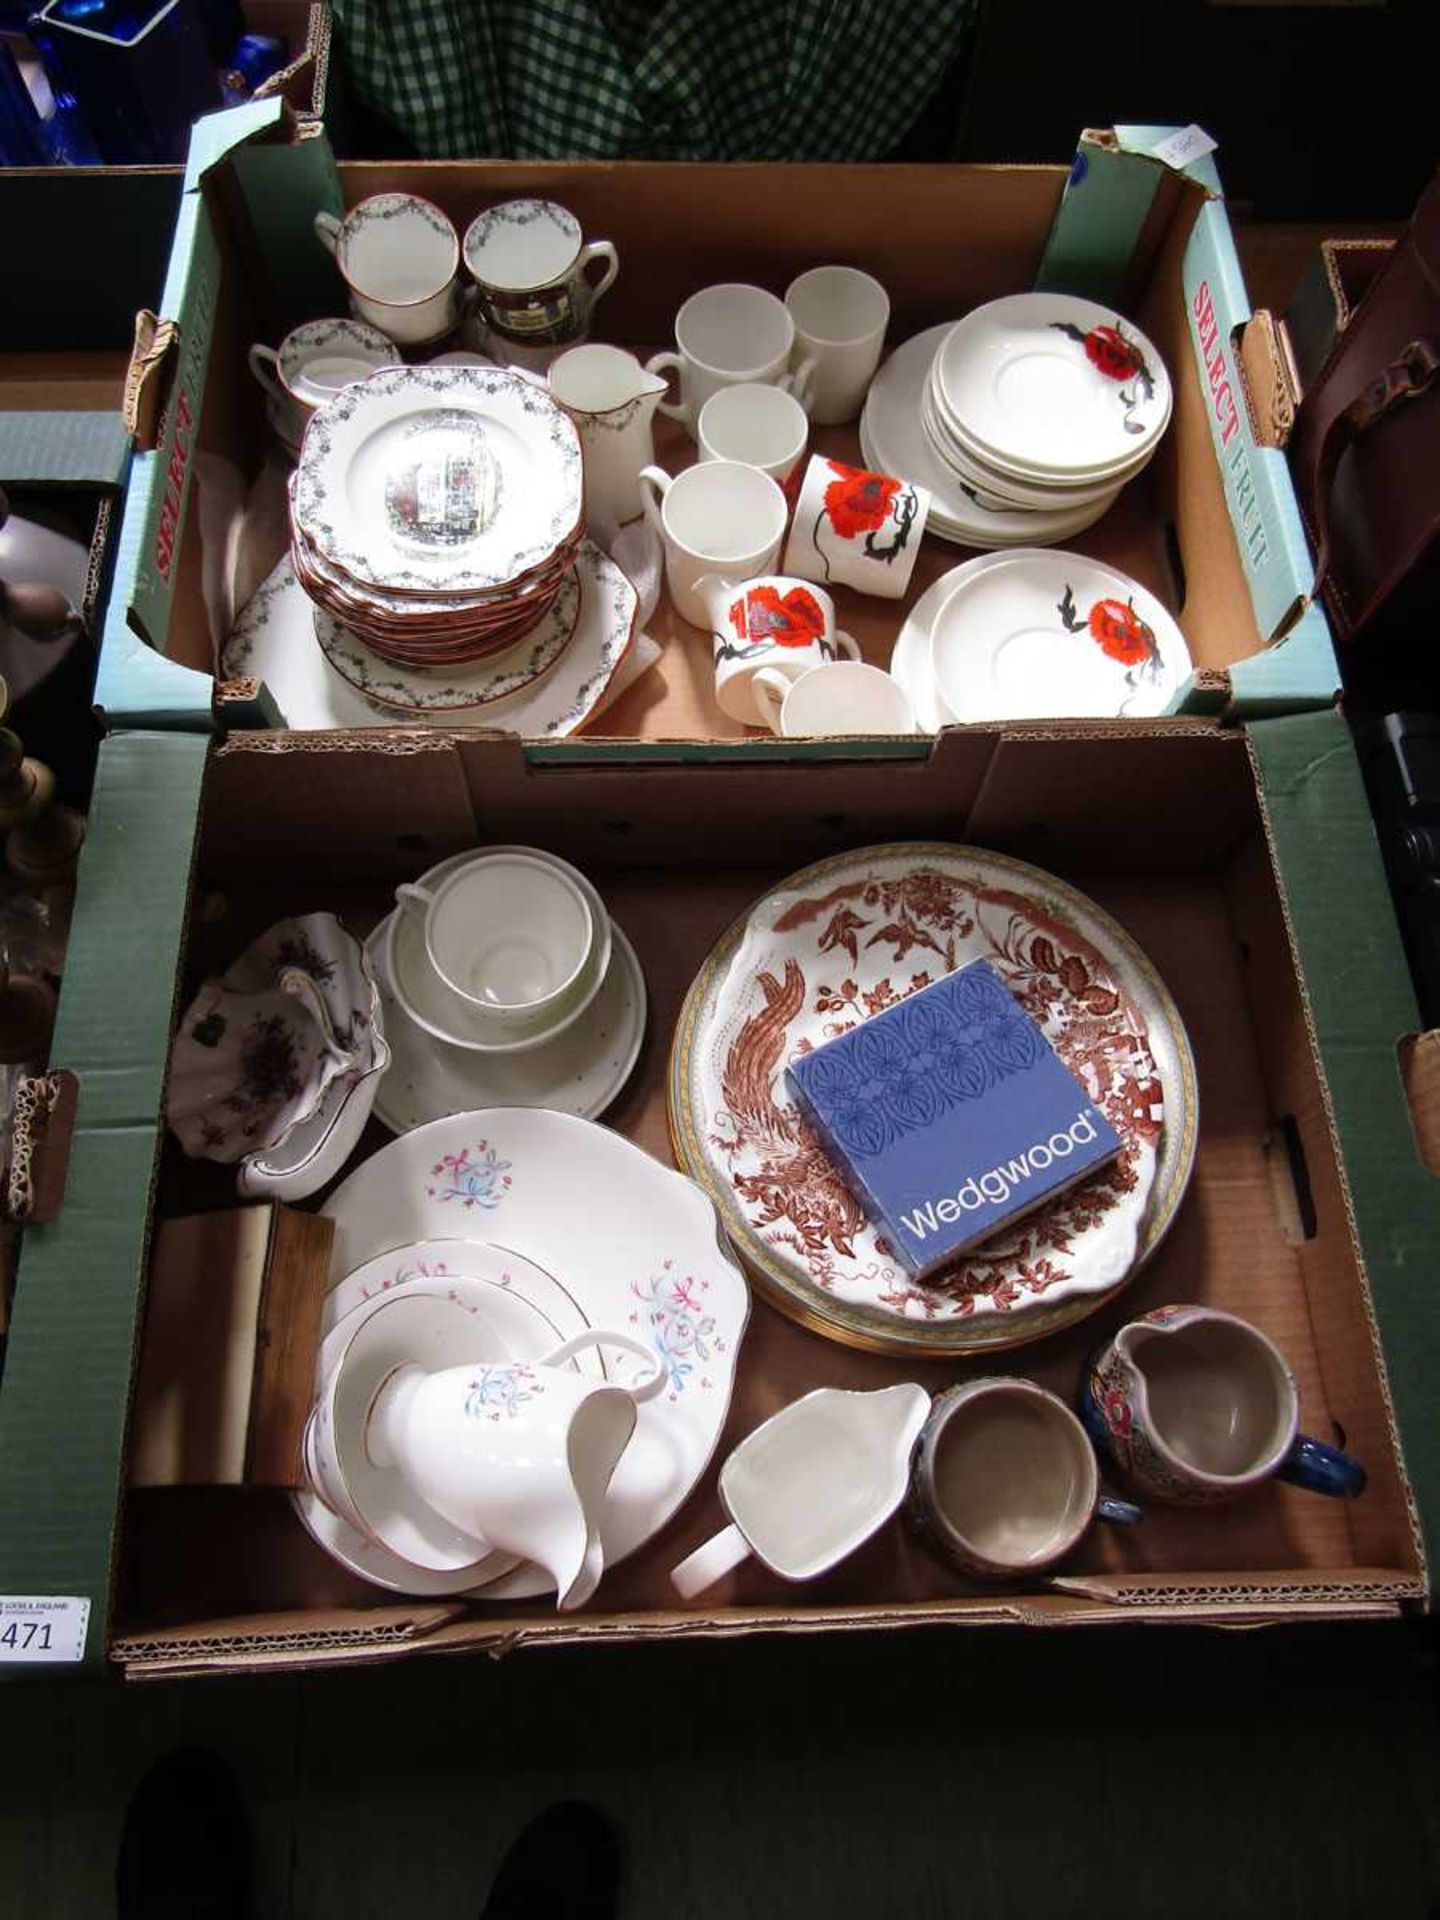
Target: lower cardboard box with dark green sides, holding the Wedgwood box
[[1236, 859]]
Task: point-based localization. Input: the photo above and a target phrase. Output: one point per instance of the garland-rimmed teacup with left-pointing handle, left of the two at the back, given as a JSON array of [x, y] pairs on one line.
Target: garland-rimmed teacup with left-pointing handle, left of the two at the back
[[400, 258]]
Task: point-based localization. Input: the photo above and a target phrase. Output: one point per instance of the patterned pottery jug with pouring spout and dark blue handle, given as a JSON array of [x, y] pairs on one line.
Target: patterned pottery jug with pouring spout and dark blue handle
[[1199, 1406]]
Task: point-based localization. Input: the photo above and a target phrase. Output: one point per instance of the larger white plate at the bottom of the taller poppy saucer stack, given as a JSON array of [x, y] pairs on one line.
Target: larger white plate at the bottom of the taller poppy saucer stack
[[894, 441]]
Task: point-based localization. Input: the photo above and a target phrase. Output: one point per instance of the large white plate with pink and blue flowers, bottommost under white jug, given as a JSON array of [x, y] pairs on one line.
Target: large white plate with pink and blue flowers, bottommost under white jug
[[635, 1241]]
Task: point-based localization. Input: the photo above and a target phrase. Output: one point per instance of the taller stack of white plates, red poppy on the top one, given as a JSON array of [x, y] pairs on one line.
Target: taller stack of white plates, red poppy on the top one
[[1024, 420]]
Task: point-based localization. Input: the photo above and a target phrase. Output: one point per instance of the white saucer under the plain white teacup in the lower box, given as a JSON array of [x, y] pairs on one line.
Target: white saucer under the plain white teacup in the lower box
[[579, 1072]]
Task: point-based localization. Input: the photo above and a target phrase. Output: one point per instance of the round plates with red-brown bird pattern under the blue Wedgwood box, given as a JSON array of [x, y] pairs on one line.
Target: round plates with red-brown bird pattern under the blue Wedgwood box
[[836, 944]]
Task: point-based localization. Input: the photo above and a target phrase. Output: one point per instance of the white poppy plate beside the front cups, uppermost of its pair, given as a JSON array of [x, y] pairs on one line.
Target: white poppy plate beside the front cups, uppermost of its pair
[[1047, 635]]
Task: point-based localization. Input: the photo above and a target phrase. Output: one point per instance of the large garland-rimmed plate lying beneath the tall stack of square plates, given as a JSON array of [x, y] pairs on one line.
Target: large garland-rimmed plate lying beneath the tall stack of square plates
[[274, 640]]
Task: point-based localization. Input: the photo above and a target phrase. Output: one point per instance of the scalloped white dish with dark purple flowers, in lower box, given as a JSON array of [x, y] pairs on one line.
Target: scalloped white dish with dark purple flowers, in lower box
[[277, 1063]]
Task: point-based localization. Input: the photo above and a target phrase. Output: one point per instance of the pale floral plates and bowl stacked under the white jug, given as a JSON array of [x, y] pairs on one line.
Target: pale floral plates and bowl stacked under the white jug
[[498, 1236]]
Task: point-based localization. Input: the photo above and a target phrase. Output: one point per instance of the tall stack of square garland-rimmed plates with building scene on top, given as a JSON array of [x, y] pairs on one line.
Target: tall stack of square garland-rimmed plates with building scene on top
[[437, 512]]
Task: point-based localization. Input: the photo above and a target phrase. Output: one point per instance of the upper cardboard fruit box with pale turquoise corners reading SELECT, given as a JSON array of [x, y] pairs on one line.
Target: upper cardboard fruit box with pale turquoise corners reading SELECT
[[1212, 527]]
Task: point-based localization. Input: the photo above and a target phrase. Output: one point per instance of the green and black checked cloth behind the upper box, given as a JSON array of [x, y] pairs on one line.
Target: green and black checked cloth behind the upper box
[[658, 80]]
